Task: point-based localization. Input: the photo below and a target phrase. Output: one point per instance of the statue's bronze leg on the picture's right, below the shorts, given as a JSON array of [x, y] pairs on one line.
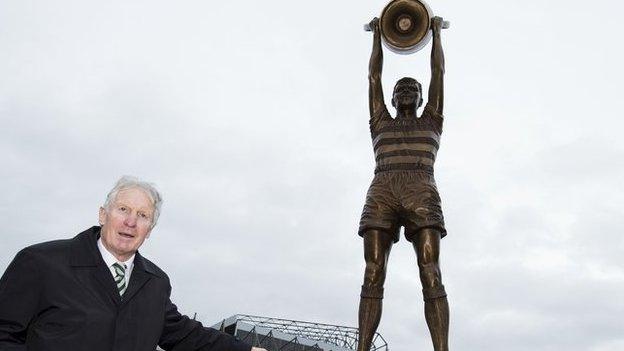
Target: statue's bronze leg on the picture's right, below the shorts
[[427, 246]]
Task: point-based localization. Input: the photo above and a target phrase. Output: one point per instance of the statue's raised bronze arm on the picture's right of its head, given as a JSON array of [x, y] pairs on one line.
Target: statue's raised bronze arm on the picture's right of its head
[[436, 86]]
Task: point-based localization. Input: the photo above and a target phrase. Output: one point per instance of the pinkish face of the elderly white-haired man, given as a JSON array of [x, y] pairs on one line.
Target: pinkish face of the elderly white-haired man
[[127, 222]]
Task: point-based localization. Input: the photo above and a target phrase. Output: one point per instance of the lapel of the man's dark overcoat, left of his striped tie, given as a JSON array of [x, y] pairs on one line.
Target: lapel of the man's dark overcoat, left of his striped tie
[[90, 268]]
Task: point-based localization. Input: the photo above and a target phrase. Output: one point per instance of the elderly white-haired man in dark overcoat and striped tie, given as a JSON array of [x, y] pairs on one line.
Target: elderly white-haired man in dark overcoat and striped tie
[[96, 292]]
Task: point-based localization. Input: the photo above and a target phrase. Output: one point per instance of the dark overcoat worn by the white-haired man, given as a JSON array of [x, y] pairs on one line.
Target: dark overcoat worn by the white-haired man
[[60, 296]]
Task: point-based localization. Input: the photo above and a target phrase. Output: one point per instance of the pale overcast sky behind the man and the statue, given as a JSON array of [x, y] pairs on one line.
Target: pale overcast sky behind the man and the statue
[[252, 119]]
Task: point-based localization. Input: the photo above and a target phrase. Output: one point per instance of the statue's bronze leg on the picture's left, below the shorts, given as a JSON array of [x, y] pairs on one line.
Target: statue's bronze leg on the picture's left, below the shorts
[[377, 245]]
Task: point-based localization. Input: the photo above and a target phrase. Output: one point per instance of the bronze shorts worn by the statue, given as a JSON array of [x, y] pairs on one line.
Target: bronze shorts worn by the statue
[[402, 198]]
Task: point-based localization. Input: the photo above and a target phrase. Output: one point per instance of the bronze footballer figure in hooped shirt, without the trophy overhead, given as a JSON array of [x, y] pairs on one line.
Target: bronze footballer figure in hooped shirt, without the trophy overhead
[[403, 191]]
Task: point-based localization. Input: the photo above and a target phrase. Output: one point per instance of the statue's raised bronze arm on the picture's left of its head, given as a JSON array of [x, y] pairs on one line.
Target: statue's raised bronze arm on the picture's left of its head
[[375, 92]]
